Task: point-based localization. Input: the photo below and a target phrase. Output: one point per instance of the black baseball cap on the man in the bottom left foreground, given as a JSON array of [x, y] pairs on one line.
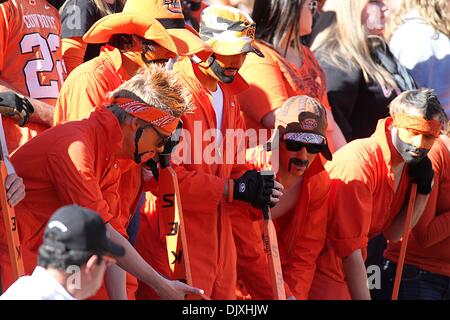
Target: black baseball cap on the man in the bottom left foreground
[[76, 228]]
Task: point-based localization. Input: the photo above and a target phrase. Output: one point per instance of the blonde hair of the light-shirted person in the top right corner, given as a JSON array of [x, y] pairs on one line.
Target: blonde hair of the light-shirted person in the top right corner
[[434, 12]]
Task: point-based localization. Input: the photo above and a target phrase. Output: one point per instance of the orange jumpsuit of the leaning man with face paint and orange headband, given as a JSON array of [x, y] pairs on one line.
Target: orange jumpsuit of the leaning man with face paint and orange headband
[[363, 203]]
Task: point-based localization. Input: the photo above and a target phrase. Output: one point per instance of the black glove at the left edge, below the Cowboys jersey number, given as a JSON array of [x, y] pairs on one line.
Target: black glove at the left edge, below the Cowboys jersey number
[[12, 104]]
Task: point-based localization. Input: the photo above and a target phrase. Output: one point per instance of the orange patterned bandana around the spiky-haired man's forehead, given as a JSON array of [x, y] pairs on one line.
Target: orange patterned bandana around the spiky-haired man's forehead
[[148, 113]]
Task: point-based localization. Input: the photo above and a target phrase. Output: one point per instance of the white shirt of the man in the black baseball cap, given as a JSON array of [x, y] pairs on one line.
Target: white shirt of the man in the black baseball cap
[[41, 285]]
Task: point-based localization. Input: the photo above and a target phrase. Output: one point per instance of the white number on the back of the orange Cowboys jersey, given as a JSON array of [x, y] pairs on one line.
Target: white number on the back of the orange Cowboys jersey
[[43, 64]]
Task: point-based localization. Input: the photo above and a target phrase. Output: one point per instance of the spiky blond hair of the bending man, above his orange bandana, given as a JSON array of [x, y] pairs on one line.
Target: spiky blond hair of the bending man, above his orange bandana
[[157, 87]]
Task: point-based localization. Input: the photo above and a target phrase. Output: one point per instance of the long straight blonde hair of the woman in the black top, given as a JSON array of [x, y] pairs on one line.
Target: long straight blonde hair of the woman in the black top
[[346, 42]]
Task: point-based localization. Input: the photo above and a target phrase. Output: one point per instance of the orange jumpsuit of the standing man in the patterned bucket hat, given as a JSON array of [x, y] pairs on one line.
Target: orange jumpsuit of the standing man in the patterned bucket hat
[[208, 227]]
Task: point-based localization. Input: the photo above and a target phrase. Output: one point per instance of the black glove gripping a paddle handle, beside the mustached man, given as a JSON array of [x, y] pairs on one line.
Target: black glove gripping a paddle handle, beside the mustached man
[[255, 188]]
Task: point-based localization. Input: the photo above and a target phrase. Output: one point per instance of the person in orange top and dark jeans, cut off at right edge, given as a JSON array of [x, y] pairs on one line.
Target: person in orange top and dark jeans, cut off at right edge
[[426, 272]]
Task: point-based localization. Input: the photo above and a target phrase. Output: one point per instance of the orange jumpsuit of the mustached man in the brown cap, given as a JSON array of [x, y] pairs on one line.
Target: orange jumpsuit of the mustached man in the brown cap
[[301, 235]]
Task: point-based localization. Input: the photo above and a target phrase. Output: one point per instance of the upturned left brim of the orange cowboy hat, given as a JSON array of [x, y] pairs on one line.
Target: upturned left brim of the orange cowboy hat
[[129, 23]]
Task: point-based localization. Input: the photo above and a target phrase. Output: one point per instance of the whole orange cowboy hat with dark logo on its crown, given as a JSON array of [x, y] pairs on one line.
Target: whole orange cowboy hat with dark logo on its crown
[[137, 14]]
